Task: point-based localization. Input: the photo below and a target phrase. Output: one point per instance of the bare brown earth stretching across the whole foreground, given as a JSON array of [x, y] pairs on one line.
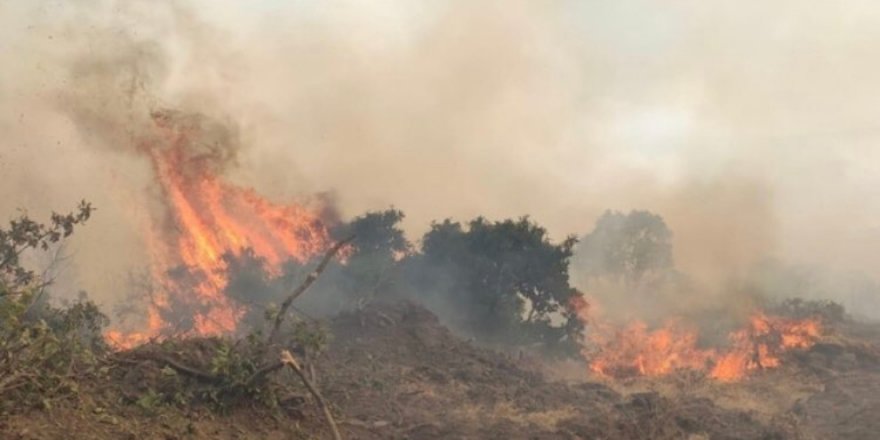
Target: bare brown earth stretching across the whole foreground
[[394, 372]]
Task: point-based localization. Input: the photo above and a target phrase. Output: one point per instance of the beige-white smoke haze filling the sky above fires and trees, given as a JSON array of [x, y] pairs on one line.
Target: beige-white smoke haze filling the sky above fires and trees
[[750, 128]]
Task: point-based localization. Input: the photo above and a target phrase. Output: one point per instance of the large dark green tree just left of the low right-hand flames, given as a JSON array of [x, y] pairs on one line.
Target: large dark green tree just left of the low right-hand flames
[[506, 280]]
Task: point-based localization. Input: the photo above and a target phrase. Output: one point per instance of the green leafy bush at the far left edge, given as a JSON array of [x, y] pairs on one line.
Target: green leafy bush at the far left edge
[[44, 350]]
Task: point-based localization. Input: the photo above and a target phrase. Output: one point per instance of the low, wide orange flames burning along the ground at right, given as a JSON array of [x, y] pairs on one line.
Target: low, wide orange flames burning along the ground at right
[[634, 350]]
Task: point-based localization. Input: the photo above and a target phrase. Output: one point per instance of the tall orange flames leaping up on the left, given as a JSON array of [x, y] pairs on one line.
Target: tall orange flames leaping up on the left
[[208, 218]]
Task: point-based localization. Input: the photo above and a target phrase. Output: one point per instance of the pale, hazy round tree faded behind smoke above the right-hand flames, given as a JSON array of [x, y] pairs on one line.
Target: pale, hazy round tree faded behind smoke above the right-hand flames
[[626, 247]]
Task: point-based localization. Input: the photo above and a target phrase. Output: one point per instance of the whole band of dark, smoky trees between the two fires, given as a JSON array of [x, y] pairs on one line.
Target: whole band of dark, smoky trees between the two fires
[[503, 281]]
